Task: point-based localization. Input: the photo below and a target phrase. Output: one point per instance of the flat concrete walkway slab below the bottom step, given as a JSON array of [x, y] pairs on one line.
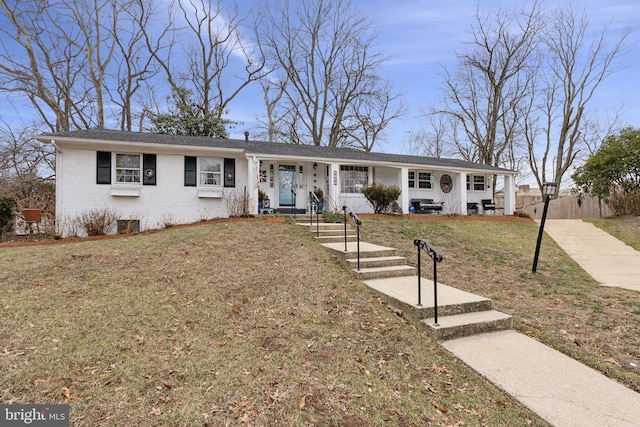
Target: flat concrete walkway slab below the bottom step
[[561, 390]]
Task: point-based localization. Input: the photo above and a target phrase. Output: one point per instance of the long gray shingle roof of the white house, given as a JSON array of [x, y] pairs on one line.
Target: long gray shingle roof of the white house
[[270, 148]]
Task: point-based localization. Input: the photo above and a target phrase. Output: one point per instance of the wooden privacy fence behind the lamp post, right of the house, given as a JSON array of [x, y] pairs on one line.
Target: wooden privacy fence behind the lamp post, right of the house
[[567, 207]]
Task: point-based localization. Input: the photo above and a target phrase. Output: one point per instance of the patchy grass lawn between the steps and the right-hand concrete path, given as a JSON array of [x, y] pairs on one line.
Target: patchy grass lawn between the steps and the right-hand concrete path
[[561, 305]]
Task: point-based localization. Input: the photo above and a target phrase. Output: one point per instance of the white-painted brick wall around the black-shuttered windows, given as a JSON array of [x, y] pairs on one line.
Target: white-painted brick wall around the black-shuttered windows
[[169, 201]]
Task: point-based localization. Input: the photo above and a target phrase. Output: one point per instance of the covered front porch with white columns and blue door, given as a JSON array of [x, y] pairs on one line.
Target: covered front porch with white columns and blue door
[[287, 184]]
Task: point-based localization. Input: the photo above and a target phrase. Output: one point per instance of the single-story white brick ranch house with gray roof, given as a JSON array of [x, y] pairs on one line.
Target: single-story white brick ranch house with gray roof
[[155, 180]]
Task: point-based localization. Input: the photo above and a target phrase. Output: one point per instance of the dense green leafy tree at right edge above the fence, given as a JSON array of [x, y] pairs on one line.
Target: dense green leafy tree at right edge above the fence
[[614, 168]]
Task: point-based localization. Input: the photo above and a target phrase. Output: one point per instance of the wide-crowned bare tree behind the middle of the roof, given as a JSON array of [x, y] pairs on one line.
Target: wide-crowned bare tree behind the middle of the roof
[[327, 51]]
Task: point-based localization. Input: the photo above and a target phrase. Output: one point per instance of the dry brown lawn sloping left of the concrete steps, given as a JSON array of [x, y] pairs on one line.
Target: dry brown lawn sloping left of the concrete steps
[[224, 323]]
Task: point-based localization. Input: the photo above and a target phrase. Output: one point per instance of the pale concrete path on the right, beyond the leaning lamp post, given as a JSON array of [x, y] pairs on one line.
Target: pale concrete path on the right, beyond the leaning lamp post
[[605, 258]]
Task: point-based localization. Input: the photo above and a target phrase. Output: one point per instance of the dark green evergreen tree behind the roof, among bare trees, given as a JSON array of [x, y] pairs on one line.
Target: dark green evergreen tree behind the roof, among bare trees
[[189, 118]]
